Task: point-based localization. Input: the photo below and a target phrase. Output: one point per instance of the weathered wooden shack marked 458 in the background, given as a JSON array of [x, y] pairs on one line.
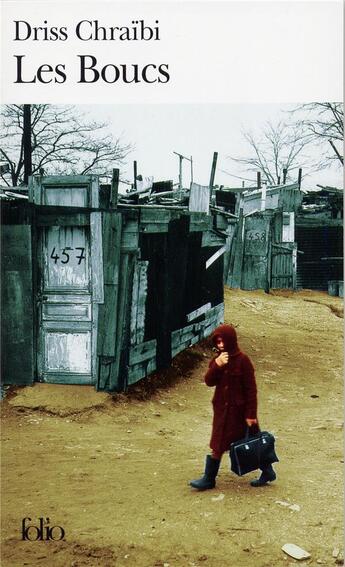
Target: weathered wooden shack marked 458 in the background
[[261, 247]]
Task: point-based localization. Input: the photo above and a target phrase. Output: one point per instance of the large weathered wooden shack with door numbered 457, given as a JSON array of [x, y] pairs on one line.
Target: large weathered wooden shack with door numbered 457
[[99, 292]]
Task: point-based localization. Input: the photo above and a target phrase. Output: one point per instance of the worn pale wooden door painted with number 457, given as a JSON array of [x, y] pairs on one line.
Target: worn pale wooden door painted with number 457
[[65, 306]]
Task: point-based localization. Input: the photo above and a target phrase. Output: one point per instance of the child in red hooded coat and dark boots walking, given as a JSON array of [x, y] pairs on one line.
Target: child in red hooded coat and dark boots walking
[[234, 404]]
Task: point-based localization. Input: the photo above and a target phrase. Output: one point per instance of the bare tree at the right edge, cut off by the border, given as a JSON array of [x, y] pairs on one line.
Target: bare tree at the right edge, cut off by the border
[[324, 122]]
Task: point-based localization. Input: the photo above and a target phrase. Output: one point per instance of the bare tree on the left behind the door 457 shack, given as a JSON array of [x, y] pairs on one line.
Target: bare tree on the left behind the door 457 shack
[[62, 139]]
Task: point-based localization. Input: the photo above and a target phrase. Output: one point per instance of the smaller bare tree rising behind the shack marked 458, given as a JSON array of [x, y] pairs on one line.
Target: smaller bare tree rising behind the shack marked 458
[[278, 147]]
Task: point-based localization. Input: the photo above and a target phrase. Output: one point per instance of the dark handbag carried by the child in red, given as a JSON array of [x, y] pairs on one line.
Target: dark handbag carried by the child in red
[[251, 453]]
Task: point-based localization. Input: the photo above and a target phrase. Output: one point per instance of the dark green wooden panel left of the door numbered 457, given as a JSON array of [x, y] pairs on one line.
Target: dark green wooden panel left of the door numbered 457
[[17, 305]]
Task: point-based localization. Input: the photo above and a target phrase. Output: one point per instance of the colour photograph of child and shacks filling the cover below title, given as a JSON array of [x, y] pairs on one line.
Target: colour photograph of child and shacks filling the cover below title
[[172, 316]]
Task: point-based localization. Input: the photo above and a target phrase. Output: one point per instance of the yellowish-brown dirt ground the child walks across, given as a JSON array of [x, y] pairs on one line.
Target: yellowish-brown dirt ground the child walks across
[[113, 471]]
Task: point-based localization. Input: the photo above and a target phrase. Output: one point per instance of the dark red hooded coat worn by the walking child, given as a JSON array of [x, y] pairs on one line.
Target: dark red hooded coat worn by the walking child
[[235, 396]]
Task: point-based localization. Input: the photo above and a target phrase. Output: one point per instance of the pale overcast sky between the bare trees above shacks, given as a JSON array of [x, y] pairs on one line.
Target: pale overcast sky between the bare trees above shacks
[[197, 130]]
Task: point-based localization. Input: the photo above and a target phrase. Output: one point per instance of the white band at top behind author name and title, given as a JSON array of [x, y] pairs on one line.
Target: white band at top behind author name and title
[[246, 51]]
